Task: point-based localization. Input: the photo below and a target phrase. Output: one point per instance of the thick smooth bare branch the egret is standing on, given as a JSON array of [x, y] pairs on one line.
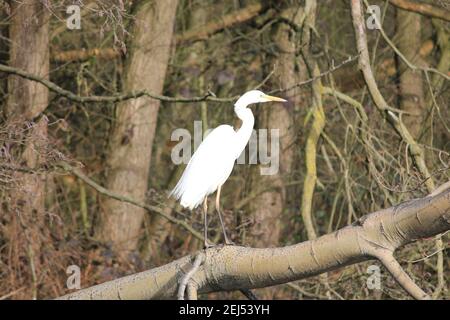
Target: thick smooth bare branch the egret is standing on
[[374, 236]]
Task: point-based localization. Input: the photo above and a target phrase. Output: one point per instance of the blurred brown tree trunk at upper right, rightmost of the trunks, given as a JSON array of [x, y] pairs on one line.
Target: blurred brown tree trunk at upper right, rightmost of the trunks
[[410, 85]]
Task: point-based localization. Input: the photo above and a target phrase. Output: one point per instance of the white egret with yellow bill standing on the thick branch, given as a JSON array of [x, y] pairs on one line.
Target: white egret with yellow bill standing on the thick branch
[[213, 161]]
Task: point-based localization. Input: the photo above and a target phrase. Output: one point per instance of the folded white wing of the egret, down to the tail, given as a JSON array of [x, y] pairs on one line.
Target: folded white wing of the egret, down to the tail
[[208, 168]]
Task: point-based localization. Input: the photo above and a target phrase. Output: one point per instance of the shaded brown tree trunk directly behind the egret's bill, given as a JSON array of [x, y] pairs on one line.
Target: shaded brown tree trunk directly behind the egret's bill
[[268, 207]]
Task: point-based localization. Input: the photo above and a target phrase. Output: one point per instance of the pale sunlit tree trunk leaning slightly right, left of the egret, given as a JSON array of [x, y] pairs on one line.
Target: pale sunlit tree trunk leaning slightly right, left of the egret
[[132, 137]]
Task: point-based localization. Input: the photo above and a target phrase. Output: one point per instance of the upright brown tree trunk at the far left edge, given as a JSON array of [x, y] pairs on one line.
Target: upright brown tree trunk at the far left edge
[[29, 51]]
